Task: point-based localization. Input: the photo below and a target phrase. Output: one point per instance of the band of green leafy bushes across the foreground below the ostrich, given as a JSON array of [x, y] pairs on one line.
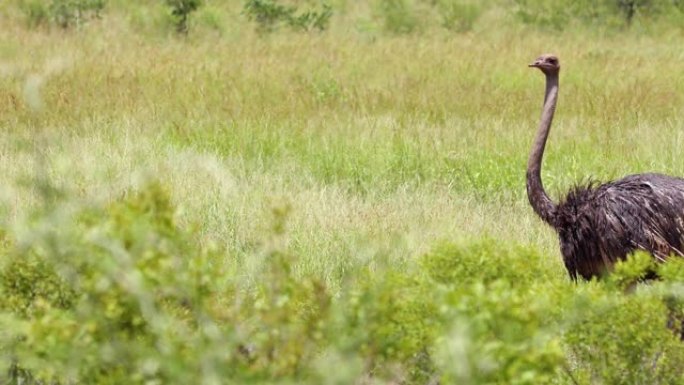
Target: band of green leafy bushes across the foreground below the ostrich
[[122, 293]]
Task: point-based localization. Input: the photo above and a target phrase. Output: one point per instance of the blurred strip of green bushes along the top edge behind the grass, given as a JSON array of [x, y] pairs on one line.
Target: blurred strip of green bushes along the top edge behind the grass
[[393, 16]]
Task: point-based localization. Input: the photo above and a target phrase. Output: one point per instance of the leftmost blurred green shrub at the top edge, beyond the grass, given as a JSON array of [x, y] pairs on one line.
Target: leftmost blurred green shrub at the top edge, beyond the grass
[[63, 13]]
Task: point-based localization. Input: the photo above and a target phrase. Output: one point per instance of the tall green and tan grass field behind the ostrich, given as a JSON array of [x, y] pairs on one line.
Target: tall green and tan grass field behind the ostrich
[[446, 123]]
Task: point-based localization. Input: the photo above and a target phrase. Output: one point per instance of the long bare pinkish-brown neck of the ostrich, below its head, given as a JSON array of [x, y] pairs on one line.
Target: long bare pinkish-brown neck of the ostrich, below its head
[[540, 201]]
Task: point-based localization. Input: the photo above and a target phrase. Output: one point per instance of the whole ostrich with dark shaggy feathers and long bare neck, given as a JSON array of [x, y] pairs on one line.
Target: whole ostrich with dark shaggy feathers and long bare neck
[[598, 225]]
